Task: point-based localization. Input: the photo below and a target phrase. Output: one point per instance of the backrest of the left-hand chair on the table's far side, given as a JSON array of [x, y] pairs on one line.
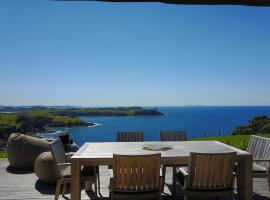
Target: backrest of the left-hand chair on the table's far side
[[131, 136]]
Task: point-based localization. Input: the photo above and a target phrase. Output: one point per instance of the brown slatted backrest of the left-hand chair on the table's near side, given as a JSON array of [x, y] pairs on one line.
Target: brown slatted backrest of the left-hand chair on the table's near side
[[136, 173]]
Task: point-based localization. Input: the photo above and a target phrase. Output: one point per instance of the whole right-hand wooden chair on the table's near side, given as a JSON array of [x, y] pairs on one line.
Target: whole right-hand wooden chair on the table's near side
[[209, 175]]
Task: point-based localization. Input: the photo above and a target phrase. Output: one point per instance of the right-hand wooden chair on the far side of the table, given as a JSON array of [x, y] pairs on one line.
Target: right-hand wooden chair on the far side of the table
[[171, 136]]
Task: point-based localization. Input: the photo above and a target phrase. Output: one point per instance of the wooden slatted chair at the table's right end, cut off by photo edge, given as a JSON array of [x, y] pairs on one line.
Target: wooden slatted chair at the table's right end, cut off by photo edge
[[260, 149]]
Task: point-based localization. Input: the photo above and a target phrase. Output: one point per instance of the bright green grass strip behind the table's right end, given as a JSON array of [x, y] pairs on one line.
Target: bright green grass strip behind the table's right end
[[238, 141]]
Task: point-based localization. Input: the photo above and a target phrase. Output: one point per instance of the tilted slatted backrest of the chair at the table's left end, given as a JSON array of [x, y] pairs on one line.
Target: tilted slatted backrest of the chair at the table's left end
[[58, 151]]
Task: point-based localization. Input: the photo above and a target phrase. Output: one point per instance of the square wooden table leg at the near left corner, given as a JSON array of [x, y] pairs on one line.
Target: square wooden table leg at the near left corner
[[75, 183]]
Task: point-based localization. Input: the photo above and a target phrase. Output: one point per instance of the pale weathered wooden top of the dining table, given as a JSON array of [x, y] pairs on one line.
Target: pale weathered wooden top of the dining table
[[103, 151]]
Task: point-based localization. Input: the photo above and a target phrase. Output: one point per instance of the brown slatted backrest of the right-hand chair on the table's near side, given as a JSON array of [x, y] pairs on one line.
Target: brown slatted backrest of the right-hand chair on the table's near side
[[210, 171]]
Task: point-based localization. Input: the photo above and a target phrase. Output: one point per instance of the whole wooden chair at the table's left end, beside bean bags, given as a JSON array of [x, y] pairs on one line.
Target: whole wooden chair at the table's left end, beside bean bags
[[63, 169]]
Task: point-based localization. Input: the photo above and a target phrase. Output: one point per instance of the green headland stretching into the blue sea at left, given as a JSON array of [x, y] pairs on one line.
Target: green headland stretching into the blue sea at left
[[34, 119]]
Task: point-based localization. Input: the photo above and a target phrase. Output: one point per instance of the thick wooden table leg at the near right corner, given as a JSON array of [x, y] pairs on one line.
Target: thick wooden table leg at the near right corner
[[245, 179]]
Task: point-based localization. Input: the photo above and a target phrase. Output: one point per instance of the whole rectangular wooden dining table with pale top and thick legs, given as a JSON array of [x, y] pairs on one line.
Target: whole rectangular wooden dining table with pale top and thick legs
[[172, 153]]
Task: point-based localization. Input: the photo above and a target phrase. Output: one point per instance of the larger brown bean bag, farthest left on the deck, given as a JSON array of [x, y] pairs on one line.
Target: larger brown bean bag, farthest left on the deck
[[23, 150]]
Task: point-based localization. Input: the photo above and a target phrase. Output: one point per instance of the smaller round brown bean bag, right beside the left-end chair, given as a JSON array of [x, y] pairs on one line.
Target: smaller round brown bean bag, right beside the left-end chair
[[45, 168]]
